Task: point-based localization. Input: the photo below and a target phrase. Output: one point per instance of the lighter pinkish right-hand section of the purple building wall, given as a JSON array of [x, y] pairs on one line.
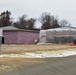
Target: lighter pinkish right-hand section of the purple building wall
[[27, 37]]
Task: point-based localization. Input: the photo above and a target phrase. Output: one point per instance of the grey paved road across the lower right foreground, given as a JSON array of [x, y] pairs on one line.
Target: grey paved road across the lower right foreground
[[51, 66]]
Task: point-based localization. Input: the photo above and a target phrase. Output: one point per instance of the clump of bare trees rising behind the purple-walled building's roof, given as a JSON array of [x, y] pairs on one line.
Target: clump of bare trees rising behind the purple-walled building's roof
[[25, 23]]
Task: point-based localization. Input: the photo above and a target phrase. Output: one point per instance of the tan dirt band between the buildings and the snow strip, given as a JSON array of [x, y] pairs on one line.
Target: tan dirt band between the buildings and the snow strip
[[6, 49]]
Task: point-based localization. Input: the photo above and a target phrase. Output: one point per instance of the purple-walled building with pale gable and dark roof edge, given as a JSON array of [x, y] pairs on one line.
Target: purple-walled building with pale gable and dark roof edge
[[18, 36]]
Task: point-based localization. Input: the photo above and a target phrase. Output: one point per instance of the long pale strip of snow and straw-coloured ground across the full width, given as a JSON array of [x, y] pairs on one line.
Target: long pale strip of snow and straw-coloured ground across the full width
[[43, 54]]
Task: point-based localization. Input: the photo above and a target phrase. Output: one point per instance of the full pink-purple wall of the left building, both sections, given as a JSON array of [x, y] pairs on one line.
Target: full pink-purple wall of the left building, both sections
[[20, 37]]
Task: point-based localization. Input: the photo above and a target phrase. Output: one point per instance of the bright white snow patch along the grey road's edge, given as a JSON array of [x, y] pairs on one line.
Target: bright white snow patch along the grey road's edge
[[45, 54]]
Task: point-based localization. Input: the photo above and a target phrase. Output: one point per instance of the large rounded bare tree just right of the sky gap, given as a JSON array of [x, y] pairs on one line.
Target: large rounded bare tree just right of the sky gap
[[48, 21]]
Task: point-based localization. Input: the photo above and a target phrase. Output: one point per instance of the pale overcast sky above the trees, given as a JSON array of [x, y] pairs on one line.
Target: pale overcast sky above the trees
[[64, 9]]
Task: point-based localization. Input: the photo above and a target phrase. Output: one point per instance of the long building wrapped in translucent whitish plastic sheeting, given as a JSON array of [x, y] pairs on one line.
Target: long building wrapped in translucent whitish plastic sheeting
[[58, 35]]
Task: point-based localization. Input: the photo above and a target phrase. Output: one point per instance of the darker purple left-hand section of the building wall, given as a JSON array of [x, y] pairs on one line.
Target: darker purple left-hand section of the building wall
[[10, 36]]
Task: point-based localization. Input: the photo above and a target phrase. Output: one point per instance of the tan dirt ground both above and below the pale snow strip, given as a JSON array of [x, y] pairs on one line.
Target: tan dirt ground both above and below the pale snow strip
[[9, 64]]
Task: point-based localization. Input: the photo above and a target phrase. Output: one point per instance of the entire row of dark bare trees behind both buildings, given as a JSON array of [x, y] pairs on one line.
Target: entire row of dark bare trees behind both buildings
[[46, 19]]
